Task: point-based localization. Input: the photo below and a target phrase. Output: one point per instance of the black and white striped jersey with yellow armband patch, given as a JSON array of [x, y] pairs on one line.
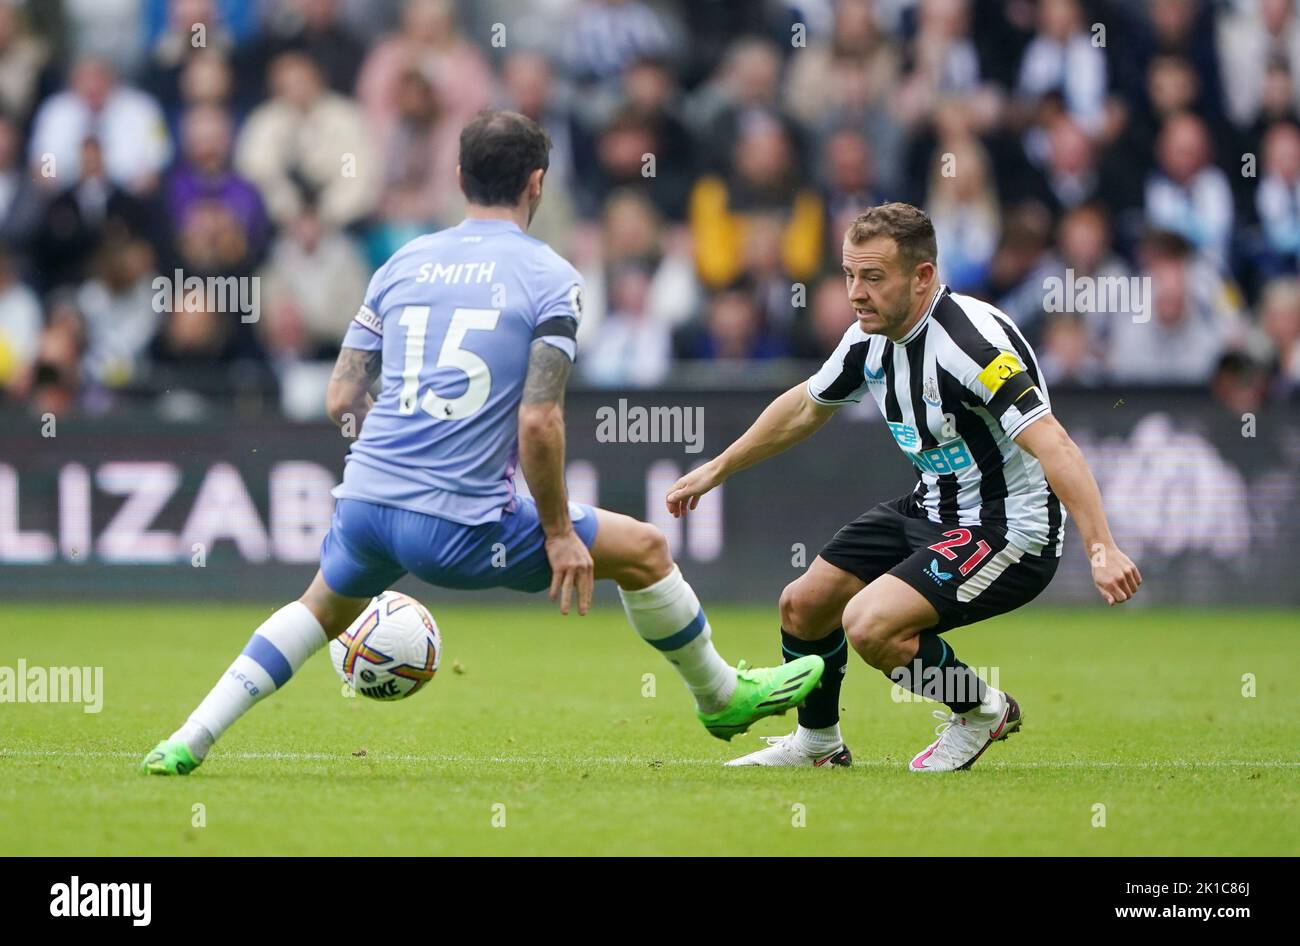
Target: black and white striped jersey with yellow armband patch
[[955, 393]]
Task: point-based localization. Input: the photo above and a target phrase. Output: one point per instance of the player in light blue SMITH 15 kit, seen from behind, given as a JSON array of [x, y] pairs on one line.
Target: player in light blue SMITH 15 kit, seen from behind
[[471, 333]]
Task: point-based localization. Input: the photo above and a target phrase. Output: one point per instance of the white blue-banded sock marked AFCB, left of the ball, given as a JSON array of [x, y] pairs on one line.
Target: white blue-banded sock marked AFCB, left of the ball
[[272, 656]]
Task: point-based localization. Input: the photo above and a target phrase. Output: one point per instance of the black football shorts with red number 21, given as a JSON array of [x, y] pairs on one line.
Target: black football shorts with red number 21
[[969, 574]]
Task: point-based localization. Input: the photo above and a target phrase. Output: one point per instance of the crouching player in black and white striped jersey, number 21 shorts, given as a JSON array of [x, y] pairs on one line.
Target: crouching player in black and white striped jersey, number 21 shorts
[[980, 536]]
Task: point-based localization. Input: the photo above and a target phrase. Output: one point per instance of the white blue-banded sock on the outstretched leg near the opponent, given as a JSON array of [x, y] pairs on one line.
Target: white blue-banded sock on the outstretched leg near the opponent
[[668, 617]]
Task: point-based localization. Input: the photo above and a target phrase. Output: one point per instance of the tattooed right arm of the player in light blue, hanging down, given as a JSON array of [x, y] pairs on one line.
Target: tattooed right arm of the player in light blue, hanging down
[[541, 455]]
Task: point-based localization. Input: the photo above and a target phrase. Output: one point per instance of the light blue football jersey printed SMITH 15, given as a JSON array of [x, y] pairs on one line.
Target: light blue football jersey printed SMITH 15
[[456, 314]]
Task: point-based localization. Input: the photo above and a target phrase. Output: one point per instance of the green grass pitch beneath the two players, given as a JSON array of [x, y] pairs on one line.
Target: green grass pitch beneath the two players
[[552, 741]]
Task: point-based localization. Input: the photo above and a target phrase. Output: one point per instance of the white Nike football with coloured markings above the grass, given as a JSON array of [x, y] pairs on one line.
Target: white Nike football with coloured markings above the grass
[[392, 650]]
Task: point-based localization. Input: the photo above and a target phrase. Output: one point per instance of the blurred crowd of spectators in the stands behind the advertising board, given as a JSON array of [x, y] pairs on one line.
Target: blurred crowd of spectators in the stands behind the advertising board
[[708, 157]]
